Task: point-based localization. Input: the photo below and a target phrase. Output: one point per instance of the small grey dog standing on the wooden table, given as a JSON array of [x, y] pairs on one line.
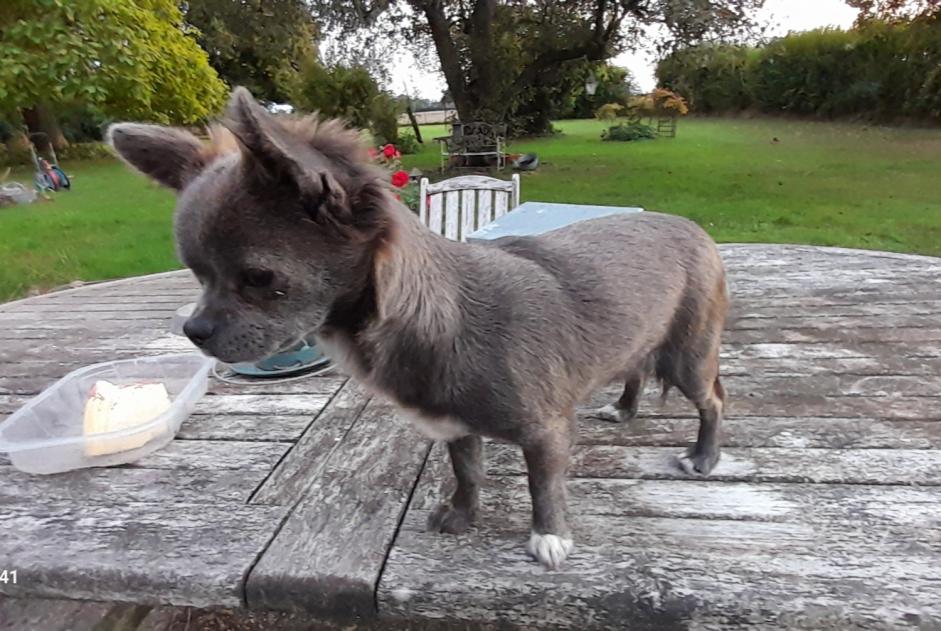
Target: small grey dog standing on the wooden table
[[292, 233]]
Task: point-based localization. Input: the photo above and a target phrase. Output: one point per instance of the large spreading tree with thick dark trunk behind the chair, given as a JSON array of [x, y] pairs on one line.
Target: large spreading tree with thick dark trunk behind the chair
[[510, 59]]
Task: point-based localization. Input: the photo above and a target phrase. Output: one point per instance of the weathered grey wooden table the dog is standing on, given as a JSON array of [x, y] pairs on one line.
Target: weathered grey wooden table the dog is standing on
[[824, 511]]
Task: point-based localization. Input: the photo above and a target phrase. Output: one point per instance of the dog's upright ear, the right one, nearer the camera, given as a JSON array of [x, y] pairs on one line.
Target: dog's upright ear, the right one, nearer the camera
[[269, 147]]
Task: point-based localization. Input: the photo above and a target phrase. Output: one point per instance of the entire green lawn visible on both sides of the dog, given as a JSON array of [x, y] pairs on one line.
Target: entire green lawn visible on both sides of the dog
[[822, 183]]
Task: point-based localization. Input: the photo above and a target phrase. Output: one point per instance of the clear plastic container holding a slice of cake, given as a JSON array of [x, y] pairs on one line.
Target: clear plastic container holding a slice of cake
[[47, 434]]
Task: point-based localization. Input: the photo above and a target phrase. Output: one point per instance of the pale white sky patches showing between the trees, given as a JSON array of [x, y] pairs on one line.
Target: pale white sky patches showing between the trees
[[782, 15]]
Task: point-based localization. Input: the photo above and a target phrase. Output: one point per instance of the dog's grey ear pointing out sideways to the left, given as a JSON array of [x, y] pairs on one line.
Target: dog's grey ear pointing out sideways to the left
[[167, 155]]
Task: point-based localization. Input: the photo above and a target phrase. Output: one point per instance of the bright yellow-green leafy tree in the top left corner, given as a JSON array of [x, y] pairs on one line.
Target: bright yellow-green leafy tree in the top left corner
[[125, 59]]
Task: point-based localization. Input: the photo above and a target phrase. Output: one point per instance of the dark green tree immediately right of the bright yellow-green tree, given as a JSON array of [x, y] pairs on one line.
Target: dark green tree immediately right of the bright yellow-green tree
[[259, 44]]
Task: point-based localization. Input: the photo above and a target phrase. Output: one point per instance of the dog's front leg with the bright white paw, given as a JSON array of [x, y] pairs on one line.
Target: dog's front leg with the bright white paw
[[547, 460]]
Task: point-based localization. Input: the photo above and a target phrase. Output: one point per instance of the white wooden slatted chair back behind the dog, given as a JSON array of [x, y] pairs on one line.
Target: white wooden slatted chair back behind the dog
[[458, 206]]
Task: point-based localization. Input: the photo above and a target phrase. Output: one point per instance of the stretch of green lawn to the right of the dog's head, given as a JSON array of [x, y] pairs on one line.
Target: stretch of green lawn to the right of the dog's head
[[822, 183]]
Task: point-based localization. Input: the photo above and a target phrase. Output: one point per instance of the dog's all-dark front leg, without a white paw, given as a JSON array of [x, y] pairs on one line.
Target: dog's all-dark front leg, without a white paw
[[467, 459]]
